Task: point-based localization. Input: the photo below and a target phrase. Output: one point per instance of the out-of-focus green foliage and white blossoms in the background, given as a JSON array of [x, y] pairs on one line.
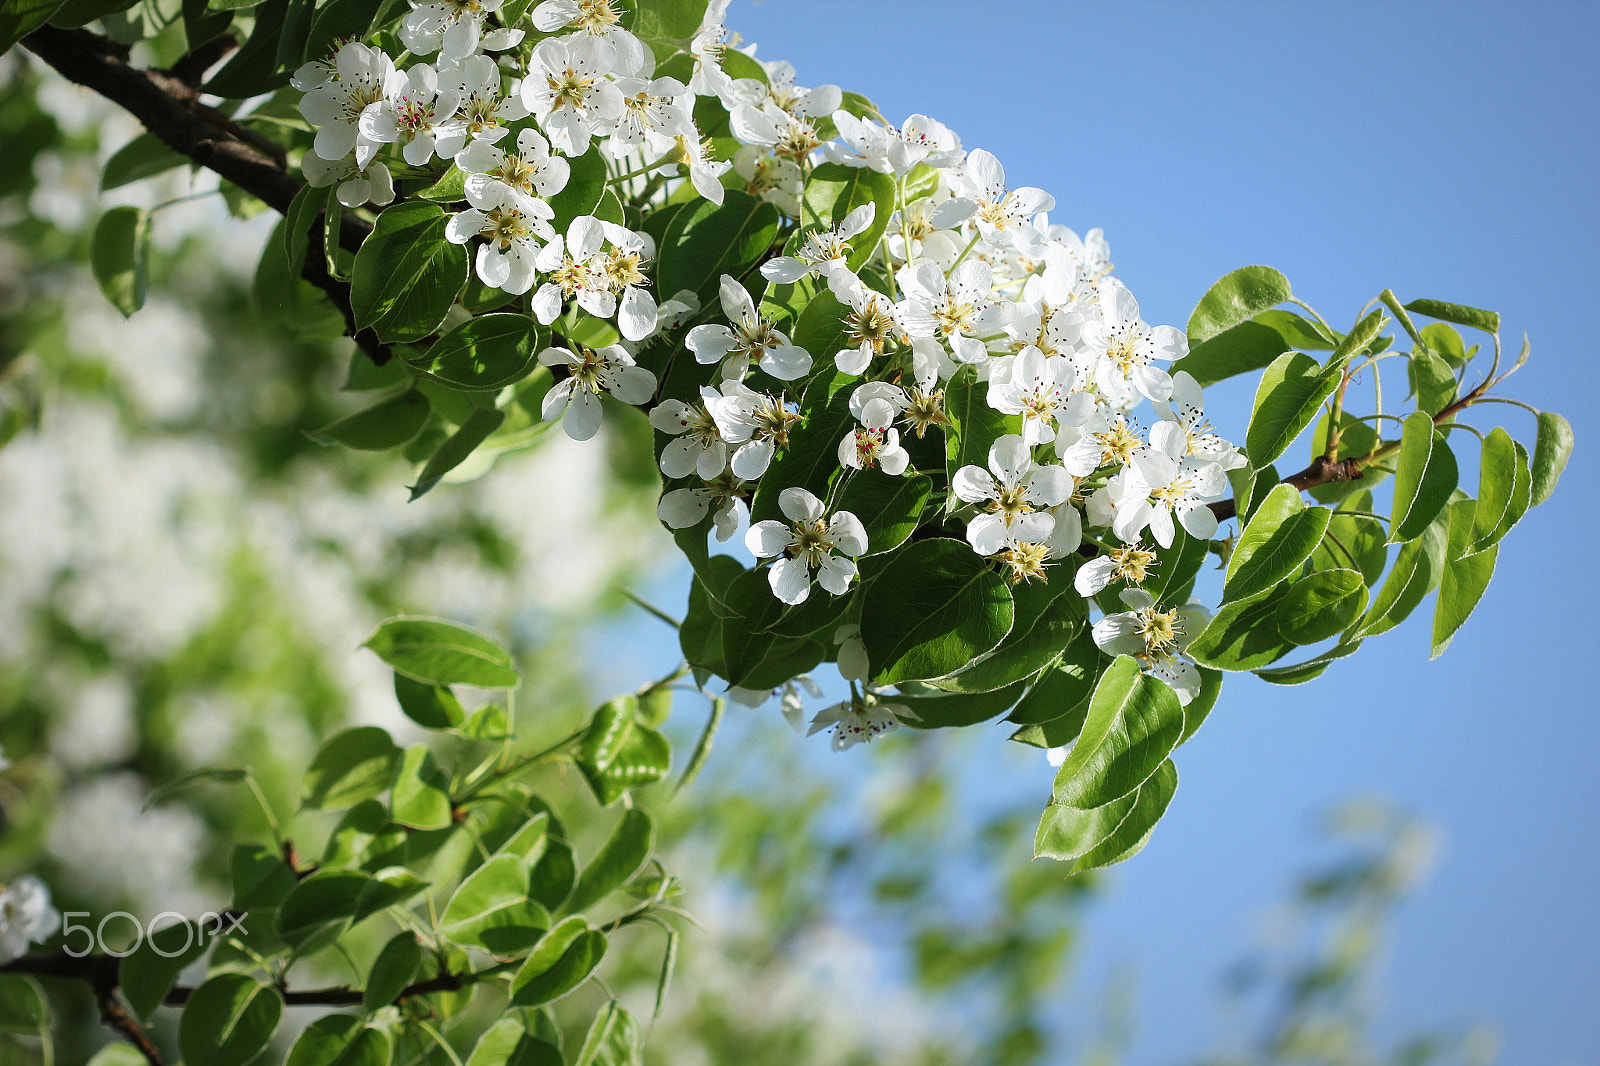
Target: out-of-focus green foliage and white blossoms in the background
[[190, 575]]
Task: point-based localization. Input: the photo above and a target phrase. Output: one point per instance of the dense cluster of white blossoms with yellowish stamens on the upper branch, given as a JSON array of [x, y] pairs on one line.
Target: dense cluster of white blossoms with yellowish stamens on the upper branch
[[964, 273]]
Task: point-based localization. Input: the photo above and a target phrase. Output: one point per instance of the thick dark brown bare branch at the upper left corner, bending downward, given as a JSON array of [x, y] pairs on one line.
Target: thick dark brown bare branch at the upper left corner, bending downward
[[170, 108]]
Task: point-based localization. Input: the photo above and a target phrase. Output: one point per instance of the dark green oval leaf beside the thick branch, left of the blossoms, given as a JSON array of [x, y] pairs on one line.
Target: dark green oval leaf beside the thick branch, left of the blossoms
[[407, 275]]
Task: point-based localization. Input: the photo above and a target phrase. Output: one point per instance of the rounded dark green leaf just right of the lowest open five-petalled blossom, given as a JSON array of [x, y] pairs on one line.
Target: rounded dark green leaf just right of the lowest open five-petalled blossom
[[935, 607]]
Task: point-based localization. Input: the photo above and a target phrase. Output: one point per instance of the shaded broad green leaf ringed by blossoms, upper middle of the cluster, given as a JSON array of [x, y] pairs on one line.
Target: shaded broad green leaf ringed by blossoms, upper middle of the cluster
[[706, 241]]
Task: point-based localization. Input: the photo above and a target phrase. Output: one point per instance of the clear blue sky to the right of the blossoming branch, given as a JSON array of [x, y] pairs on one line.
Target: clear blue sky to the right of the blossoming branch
[[1442, 150]]
